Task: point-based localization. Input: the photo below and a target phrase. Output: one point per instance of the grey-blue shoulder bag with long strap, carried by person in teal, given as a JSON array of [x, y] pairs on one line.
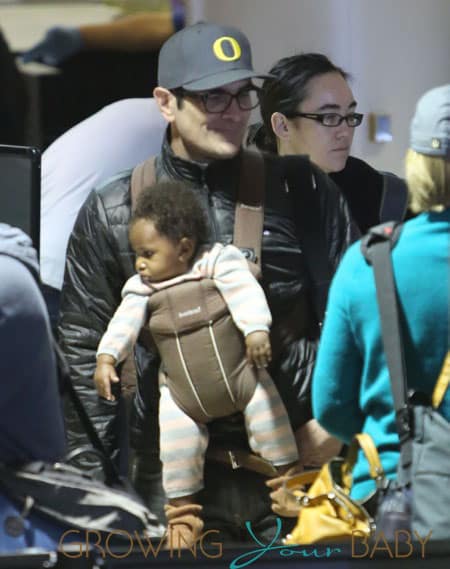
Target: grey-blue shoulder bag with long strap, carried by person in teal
[[419, 499]]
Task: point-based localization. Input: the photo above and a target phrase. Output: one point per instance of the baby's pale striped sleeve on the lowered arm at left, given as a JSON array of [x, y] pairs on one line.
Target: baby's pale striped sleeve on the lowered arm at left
[[125, 325]]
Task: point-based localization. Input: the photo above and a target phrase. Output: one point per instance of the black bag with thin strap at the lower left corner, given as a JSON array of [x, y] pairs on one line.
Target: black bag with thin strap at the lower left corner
[[73, 497]]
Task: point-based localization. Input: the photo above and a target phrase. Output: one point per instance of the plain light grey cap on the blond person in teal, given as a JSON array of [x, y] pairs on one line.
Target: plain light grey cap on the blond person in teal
[[430, 126]]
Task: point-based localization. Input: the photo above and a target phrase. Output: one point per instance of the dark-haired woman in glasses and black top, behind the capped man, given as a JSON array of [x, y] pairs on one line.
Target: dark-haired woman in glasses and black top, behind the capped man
[[308, 107]]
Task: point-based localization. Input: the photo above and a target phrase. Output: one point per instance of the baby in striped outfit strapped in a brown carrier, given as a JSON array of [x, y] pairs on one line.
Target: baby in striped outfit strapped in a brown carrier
[[209, 319]]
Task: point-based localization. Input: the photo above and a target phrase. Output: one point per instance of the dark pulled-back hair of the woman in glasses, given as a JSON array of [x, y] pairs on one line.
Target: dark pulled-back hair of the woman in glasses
[[287, 89]]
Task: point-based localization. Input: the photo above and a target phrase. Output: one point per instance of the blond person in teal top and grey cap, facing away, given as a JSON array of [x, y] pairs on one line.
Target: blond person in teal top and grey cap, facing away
[[351, 389]]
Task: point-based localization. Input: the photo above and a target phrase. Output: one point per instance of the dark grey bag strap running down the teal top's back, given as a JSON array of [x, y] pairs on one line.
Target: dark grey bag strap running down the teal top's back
[[376, 248]]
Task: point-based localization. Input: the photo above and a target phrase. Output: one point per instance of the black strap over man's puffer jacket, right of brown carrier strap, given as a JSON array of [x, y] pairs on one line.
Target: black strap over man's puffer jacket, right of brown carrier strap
[[302, 187]]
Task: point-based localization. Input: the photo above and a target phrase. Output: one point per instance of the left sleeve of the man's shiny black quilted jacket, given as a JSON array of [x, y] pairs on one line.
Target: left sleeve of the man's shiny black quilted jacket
[[93, 279]]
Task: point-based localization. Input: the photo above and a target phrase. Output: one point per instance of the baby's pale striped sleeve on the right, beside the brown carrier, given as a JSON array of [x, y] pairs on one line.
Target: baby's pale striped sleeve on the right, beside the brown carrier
[[243, 294]]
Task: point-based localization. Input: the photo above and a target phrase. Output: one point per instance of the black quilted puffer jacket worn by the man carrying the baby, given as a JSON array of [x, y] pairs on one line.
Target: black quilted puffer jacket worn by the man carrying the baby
[[99, 261]]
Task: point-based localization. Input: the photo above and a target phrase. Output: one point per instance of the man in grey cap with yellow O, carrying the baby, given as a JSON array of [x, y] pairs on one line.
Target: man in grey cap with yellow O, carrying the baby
[[206, 95]]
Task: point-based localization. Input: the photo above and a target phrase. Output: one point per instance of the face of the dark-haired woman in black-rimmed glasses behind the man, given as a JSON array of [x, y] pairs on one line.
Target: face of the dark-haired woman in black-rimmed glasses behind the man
[[328, 147]]
